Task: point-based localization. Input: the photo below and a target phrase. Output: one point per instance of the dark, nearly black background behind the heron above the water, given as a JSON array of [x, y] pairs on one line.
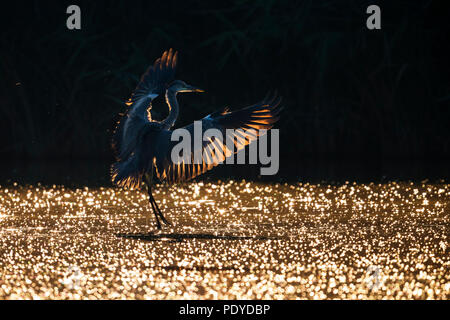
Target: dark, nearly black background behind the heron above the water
[[359, 104]]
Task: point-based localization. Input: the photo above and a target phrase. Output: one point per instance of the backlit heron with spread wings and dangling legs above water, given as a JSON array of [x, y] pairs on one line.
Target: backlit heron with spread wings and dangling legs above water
[[143, 146]]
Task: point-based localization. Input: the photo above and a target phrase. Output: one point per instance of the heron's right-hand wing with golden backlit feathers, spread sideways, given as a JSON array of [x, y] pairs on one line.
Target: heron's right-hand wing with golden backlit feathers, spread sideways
[[246, 123]]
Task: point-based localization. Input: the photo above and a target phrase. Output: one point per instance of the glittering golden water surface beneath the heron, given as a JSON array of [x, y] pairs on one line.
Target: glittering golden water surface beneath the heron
[[285, 241]]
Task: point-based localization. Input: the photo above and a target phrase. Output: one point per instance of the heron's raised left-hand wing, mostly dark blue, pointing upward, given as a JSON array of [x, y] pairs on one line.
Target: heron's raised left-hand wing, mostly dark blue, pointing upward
[[132, 124]]
